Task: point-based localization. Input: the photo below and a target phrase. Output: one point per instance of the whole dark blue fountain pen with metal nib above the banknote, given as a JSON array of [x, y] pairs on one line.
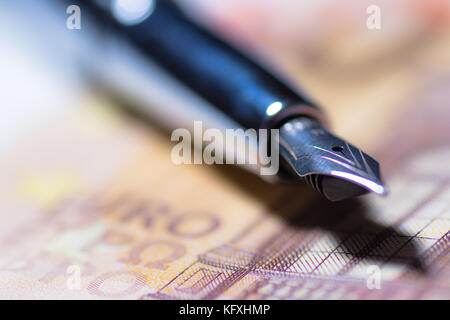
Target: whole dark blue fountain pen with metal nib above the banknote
[[232, 82]]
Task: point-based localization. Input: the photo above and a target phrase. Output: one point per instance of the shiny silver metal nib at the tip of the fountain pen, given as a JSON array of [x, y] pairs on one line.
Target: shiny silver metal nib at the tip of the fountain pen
[[332, 166]]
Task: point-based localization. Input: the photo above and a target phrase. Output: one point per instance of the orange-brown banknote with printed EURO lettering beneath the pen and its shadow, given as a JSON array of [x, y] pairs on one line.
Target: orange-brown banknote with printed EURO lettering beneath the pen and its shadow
[[93, 208]]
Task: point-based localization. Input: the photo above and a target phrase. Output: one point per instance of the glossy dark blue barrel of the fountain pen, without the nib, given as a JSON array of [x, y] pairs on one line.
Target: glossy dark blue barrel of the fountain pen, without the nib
[[215, 70]]
